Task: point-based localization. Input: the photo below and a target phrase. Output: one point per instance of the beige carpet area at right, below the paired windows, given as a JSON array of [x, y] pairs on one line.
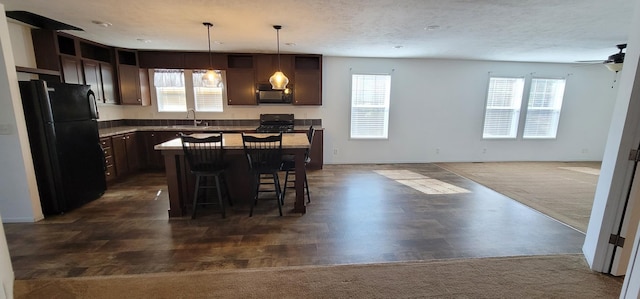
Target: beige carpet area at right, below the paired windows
[[561, 190]]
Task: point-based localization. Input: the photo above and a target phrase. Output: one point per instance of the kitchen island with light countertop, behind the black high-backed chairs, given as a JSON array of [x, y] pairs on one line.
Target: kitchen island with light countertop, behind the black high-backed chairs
[[180, 182]]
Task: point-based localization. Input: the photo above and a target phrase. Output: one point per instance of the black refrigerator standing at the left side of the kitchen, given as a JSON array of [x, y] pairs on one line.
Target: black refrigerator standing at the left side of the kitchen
[[63, 134]]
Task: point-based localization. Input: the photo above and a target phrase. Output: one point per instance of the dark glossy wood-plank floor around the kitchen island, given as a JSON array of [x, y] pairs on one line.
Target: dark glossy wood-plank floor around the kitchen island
[[356, 216]]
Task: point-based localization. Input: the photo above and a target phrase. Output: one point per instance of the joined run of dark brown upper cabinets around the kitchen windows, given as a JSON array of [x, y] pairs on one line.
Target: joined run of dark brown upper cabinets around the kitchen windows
[[120, 74]]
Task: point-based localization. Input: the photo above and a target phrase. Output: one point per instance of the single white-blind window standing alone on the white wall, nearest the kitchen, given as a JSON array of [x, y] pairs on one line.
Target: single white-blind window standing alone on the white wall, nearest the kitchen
[[370, 106]]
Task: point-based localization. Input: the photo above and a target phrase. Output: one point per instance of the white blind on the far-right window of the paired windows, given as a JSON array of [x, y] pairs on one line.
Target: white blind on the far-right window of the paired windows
[[543, 110]]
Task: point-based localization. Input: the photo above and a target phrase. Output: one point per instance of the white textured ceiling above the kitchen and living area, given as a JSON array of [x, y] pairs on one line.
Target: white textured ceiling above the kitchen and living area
[[505, 30]]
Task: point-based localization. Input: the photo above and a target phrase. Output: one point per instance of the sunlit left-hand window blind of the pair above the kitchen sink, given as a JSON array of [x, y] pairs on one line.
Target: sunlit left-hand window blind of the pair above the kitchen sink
[[170, 91]]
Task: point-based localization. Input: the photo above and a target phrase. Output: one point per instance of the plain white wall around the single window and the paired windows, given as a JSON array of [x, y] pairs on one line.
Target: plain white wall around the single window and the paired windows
[[437, 111]]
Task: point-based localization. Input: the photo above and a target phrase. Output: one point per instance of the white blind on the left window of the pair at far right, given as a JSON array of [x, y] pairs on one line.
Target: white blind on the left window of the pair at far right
[[502, 113]]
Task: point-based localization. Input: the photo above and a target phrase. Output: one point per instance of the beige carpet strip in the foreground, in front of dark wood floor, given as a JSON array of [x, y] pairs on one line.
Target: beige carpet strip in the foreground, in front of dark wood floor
[[557, 276]]
